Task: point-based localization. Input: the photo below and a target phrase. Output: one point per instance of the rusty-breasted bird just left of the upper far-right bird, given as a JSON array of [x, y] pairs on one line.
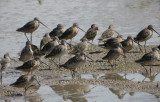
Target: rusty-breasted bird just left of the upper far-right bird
[[127, 44]]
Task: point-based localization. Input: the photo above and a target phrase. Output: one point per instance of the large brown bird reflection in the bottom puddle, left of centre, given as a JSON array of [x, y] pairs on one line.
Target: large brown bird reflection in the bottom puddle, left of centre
[[73, 92]]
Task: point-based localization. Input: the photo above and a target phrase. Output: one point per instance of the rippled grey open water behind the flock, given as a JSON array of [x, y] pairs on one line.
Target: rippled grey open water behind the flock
[[128, 17]]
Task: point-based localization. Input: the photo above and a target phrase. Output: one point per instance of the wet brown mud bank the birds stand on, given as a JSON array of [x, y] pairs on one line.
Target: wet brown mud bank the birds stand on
[[59, 76]]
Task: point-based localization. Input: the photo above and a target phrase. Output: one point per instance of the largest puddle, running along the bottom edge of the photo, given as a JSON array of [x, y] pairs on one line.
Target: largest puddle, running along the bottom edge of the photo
[[84, 93]]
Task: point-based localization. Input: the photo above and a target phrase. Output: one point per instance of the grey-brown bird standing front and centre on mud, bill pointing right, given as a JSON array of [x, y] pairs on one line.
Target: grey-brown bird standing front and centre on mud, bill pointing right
[[77, 61]]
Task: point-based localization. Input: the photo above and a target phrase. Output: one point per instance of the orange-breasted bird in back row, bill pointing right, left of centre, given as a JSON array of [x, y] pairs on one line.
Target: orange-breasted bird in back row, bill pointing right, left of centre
[[70, 32]]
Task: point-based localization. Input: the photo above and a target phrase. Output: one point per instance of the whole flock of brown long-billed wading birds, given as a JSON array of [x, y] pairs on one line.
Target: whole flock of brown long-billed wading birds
[[53, 45]]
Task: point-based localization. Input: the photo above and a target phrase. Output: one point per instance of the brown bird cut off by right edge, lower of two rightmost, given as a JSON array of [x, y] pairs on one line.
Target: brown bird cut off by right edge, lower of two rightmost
[[149, 58]]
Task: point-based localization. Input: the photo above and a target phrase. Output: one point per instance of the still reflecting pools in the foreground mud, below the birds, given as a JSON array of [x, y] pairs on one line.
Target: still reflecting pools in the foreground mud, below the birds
[[86, 93]]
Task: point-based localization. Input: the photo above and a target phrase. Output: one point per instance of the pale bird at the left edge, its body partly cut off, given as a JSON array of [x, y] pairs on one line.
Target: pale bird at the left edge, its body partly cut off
[[5, 62]]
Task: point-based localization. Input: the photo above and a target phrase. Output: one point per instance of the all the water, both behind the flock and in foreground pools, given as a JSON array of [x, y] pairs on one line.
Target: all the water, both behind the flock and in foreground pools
[[128, 17]]
